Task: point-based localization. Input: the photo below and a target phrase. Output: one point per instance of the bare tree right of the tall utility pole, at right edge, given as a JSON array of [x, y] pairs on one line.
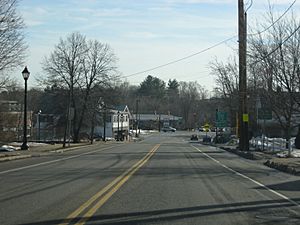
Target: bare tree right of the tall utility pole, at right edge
[[275, 54]]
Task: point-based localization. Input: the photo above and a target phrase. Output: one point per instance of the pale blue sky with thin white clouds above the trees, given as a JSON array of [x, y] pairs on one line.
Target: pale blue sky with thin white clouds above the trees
[[143, 33]]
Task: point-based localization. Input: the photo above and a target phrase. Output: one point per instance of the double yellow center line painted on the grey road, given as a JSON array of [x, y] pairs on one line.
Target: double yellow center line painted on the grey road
[[98, 200]]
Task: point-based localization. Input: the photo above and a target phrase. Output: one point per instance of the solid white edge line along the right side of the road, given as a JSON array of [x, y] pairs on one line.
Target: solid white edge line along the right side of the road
[[248, 178]]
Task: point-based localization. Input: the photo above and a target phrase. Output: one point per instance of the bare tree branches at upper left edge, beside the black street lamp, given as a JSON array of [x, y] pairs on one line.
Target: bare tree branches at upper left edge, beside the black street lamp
[[12, 44]]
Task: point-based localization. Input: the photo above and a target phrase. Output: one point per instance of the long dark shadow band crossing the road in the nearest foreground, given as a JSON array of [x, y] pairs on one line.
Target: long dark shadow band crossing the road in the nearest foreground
[[177, 214]]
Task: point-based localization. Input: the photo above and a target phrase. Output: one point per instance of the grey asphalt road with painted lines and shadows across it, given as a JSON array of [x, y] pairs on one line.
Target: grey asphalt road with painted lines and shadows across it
[[164, 179]]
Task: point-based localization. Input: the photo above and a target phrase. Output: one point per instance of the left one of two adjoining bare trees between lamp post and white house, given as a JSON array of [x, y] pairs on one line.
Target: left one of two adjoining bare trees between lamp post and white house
[[64, 68]]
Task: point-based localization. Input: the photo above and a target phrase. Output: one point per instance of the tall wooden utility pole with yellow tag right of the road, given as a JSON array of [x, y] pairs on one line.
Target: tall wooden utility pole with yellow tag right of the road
[[243, 111]]
